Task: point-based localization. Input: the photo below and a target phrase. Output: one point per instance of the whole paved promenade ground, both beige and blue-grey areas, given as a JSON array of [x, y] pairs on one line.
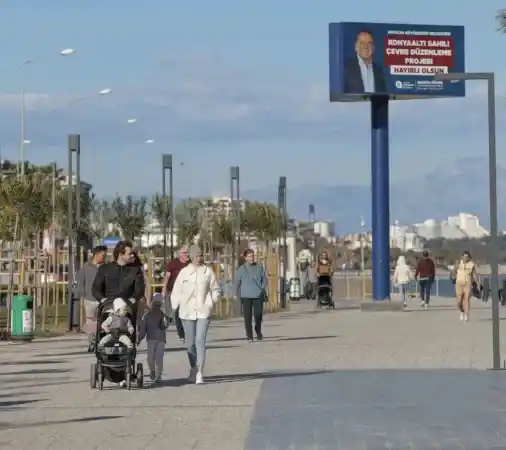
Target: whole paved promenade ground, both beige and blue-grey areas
[[327, 380]]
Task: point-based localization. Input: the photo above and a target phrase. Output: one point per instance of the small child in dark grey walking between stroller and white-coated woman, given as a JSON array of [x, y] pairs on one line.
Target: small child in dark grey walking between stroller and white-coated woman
[[153, 327]]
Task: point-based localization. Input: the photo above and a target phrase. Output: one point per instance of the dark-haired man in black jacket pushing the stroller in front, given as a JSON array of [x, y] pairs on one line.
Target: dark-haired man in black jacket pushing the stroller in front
[[119, 278]]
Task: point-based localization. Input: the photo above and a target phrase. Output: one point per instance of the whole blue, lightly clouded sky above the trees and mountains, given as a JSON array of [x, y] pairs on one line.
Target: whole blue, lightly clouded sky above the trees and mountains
[[224, 83]]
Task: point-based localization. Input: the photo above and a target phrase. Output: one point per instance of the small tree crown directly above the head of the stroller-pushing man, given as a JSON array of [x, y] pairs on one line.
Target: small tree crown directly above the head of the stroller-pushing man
[[130, 215]]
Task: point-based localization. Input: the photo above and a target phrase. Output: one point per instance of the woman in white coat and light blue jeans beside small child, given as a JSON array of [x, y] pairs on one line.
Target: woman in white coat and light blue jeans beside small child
[[195, 292]]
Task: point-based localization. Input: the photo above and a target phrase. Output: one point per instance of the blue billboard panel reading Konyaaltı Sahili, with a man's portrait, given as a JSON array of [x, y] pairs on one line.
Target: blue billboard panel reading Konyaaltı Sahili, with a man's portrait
[[397, 60]]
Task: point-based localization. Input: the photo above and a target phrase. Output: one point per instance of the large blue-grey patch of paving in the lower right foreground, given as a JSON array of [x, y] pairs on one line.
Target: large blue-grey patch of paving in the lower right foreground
[[382, 408]]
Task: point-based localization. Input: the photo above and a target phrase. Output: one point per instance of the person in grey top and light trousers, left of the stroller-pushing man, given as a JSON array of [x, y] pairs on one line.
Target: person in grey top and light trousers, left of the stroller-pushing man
[[85, 279]]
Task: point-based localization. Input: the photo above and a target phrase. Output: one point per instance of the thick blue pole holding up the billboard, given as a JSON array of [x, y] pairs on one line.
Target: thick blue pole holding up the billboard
[[380, 193]]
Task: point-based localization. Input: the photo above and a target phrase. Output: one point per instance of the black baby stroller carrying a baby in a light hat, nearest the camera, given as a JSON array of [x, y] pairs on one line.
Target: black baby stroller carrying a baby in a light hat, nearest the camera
[[115, 362]]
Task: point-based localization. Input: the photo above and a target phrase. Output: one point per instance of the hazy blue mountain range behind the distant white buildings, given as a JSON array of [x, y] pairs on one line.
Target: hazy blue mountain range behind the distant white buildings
[[461, 187]]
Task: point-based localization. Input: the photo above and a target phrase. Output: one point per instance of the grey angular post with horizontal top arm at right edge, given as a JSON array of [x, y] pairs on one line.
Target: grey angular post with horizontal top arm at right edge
[[494, 242]]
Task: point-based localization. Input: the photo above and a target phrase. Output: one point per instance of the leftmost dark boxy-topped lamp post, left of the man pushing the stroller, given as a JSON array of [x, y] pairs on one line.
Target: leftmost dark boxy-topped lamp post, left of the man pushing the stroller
[[73, 227]]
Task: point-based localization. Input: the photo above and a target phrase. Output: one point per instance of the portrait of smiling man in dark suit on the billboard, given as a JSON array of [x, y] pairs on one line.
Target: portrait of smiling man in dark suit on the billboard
[[361, 74]]
